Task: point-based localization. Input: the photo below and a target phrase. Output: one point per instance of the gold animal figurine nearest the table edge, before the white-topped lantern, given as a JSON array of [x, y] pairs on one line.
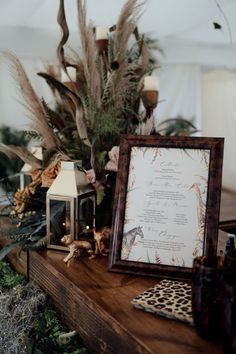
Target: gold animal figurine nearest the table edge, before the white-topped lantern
[[76, 247]]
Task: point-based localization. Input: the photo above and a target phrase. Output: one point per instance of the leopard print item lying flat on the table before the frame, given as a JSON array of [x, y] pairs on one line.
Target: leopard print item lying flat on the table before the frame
[[169, 298]]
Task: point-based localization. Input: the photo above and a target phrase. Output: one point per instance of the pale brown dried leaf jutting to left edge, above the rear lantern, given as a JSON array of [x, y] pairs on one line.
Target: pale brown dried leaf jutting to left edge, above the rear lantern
[[22, 152]]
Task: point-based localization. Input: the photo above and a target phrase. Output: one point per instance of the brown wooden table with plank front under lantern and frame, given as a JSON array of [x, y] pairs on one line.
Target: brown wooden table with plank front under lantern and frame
[[96, 303]]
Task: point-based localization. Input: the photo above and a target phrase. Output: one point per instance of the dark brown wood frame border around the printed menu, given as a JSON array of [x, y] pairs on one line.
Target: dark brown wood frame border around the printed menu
[[215, 145]]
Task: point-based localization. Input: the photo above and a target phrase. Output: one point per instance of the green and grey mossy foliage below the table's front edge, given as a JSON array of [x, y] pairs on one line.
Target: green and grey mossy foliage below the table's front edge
[[28, 322]]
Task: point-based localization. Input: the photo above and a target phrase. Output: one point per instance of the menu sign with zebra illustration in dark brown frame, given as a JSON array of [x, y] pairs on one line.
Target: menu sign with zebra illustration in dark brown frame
[[166, 206]]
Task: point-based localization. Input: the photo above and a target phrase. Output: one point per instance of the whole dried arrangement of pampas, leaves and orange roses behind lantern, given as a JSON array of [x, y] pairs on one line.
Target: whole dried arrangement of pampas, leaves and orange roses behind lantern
[[102, 101]]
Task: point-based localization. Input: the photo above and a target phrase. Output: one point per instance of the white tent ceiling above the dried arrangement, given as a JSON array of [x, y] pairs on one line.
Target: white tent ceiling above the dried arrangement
[[184, 28]]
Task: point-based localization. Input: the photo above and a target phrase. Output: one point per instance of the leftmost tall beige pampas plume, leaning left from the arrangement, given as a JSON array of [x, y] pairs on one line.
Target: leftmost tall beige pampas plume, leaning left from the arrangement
[[32, 102]]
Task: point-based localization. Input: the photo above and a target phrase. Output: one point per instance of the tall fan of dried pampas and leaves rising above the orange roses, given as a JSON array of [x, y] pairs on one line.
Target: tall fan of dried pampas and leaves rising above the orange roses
[[104, 102]]
